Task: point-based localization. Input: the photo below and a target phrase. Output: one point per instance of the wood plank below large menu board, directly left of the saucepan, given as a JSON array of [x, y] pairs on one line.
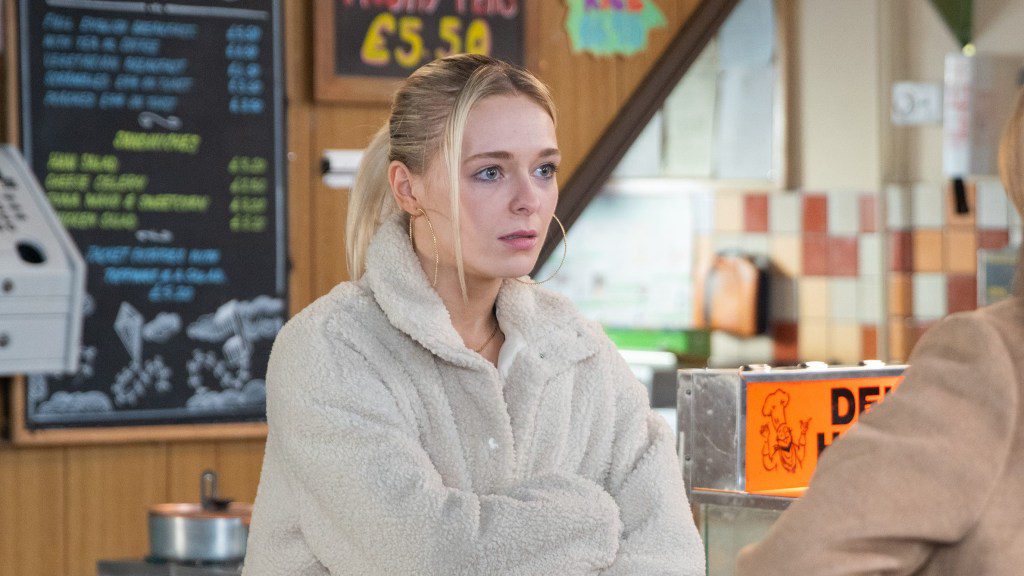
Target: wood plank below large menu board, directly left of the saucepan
[[108, 495]]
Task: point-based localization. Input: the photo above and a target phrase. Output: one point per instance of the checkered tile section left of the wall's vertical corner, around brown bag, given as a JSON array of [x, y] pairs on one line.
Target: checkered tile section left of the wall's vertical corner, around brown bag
[[826, 251]]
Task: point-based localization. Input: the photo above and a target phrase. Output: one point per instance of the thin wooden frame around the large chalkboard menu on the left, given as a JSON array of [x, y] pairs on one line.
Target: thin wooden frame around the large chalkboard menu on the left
[[219, 426]]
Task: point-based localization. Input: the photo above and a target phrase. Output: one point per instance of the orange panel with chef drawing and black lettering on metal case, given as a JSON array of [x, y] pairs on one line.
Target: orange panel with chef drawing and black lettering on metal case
[[791, 424]]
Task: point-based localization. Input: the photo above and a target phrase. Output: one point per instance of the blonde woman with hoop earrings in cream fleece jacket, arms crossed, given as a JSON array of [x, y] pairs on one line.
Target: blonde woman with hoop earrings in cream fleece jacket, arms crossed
[[442, 414]]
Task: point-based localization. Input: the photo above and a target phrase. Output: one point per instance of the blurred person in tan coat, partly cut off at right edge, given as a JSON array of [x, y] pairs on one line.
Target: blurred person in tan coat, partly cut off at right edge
[[932, 481]]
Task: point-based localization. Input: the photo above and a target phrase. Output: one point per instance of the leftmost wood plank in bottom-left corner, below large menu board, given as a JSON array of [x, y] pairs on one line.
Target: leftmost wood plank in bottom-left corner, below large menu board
[[32, 511]]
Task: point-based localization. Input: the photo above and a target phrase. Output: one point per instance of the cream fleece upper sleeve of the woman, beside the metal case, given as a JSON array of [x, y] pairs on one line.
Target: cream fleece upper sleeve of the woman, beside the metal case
[[646, 480]]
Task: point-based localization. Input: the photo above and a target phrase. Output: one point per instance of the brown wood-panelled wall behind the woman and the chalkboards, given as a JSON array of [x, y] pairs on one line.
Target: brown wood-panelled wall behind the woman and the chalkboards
[[64, 509]]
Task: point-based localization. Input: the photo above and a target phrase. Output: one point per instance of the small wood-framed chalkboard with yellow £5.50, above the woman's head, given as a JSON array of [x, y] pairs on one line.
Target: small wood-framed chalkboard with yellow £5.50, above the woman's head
[[363, 42]]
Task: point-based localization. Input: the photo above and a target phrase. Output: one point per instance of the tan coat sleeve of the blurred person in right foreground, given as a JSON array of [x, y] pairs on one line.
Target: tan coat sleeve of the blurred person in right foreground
[[914, 474]]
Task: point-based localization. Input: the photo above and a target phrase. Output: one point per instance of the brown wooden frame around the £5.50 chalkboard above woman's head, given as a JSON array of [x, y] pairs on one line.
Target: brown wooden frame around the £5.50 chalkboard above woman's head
[[331, 87]]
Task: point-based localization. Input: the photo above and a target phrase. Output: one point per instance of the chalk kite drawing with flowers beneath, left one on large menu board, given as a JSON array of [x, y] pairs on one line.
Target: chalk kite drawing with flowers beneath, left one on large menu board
[[136, 381]]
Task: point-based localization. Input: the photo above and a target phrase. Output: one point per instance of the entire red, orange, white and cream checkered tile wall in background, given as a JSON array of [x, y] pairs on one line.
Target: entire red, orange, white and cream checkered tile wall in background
[[830, 259]]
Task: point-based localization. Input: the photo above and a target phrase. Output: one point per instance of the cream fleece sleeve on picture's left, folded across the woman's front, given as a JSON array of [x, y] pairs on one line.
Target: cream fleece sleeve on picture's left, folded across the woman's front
[[361, 476]]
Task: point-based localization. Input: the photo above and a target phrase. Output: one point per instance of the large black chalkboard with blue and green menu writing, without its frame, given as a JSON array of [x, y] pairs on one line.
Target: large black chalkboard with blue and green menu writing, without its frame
[[156, 130]]
